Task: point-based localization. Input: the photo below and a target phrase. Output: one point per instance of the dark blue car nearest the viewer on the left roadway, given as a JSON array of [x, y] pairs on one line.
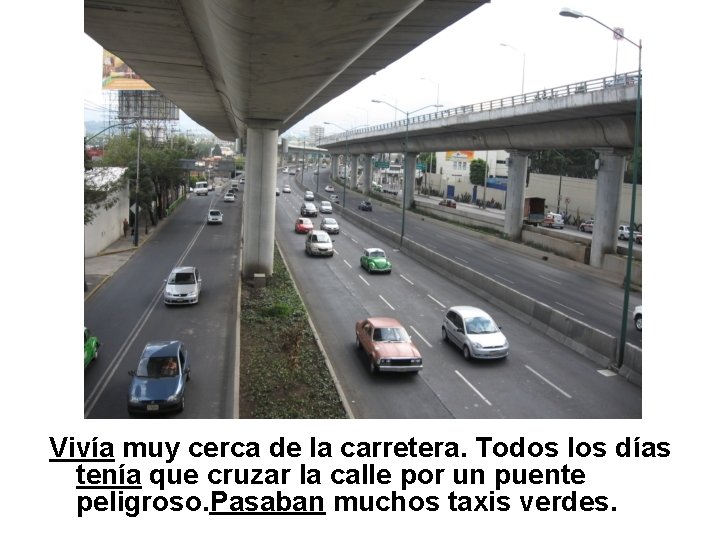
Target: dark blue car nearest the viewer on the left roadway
[[158, 383]]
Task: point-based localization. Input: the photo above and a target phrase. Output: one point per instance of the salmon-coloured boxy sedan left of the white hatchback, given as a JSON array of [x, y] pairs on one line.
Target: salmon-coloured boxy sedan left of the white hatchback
[[387, 345]]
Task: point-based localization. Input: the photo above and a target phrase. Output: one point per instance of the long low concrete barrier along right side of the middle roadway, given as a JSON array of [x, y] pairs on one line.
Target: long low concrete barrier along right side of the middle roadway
[[591, 343]]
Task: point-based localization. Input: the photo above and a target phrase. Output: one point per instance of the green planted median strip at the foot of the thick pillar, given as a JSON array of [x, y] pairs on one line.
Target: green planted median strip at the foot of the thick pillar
[[282, 370]]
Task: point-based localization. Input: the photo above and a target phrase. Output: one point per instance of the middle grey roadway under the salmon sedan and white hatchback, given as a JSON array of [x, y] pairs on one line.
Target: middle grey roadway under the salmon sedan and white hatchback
[[540, 379]]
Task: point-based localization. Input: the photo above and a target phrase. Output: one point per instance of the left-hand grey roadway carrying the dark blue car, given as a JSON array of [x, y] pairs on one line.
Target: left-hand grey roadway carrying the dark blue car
[[128, 311]]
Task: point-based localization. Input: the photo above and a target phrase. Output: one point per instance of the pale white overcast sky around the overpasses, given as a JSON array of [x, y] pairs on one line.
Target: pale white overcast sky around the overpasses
[[466, 64]]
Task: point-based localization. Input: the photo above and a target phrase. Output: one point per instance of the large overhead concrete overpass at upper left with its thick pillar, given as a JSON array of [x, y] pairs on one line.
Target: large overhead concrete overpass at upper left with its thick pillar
[[249, 69]]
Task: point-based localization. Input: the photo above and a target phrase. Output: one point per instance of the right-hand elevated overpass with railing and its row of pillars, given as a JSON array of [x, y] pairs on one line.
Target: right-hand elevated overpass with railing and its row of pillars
[[598, 114]]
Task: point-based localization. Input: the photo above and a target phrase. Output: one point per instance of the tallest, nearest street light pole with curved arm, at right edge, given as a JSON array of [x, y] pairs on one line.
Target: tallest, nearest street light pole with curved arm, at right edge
[[566, 12]]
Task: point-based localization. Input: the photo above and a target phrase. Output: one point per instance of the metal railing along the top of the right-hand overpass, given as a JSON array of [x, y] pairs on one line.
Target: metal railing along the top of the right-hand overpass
[[584, 87]]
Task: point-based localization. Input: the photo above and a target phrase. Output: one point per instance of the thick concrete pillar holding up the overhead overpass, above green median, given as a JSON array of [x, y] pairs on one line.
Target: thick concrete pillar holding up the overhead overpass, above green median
[[259, 201]]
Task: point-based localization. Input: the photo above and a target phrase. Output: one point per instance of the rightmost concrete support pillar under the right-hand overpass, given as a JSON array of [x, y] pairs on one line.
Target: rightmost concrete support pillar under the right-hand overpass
[[607, 204]]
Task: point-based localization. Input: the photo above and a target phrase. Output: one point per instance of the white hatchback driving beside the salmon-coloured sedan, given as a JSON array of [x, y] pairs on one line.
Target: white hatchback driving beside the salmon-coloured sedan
[[474, 332]]
